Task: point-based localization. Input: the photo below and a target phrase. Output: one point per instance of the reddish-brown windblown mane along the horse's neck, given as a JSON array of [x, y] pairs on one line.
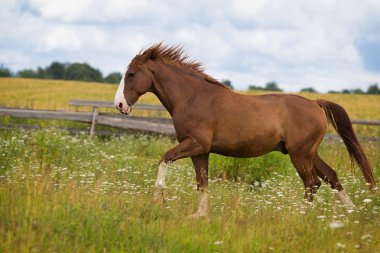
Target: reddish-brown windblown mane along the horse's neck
[[176, 55]]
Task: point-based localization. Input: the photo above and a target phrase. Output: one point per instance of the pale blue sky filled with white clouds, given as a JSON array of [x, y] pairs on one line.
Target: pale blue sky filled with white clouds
[[325, 44]]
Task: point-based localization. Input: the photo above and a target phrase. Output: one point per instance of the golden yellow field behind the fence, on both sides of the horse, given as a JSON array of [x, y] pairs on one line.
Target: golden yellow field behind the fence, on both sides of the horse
[[55, 95]]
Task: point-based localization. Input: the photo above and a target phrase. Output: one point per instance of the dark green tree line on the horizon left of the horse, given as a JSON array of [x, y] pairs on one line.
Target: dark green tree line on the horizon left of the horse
[[65, 71]]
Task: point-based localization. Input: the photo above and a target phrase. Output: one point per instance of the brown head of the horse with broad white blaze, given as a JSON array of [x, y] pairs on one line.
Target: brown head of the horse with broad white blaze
[[136, 81]]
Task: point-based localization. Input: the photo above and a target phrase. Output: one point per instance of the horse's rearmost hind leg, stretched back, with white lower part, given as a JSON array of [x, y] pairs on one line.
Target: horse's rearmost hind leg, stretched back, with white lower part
[[329, 175]]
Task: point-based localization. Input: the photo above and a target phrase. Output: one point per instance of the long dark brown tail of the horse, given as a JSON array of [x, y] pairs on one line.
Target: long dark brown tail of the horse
[[338, 117]]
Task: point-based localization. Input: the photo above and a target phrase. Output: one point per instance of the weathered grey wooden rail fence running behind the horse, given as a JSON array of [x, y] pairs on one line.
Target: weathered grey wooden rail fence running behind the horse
[[155, 125]]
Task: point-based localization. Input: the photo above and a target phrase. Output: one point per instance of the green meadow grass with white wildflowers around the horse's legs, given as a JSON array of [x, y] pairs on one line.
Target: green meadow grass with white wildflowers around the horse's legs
[[71, 193]]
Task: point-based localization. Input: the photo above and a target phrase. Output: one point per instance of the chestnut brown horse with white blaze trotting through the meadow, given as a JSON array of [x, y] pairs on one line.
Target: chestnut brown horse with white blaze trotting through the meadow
[[208, 117]]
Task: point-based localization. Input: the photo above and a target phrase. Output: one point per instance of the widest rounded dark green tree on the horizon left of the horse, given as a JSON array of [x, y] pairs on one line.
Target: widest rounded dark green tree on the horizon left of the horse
[[83, 72]]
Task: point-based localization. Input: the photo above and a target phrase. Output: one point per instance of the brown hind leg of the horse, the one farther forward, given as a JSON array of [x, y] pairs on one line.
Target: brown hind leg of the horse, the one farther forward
[[304, 167]]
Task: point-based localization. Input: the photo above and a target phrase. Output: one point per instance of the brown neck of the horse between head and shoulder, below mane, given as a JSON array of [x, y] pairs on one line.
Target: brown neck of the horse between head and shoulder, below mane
[[173, 90]]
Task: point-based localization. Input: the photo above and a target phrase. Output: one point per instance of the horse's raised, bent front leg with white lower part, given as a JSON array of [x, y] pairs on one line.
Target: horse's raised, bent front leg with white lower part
[[187, 148]]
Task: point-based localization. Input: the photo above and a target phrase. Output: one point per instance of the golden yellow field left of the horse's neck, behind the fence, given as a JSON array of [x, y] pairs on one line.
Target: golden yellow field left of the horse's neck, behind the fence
[[55, 94]]
